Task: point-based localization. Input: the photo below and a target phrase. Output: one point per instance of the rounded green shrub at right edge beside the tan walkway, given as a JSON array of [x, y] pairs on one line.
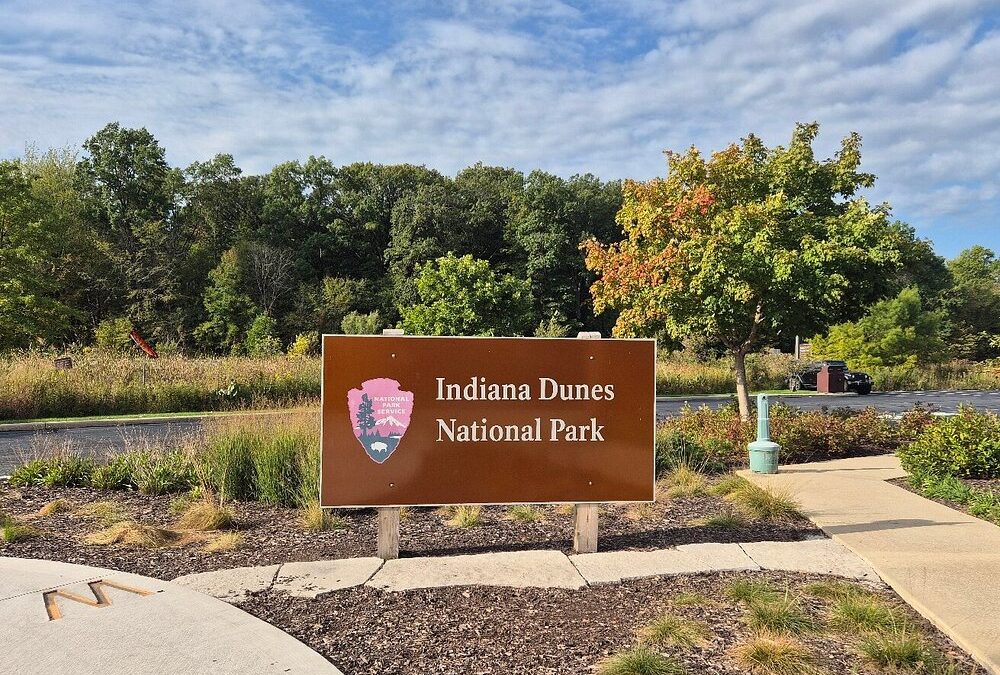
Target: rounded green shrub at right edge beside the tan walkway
[[965, 445]]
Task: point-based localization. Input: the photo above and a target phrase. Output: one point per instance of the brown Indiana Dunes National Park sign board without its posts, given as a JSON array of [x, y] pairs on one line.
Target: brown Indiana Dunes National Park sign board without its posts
[[438, 420]]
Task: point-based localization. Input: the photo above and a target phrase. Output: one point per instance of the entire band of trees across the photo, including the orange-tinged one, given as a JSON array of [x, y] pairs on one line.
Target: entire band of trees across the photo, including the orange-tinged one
[[746, 248]]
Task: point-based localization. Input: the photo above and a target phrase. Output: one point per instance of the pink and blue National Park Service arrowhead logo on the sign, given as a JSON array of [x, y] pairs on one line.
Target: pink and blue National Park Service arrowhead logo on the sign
[[380, 412]]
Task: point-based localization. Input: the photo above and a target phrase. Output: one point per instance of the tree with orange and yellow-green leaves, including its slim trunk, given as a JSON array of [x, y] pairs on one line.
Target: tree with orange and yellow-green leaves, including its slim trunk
[[746, 244]]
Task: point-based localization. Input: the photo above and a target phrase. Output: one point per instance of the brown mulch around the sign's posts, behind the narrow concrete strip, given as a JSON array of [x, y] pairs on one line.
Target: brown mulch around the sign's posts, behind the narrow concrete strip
[[274, 534]]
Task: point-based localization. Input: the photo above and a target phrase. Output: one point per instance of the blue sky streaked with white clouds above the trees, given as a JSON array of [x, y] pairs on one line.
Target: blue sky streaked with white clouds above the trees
[[569, 87]]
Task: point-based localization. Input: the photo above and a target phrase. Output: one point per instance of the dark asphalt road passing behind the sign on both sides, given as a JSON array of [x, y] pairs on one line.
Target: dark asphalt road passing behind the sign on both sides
[[18, 446]]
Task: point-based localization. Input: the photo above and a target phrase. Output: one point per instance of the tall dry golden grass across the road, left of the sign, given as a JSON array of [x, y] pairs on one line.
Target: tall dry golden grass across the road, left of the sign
[[103, 383]]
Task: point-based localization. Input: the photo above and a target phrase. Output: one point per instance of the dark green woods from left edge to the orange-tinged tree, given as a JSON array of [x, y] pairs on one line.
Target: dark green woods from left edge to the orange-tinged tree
[[210, 259]]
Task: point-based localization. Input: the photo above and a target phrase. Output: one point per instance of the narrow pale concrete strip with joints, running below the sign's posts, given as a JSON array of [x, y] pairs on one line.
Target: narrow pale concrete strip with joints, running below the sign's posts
[[530, 569]]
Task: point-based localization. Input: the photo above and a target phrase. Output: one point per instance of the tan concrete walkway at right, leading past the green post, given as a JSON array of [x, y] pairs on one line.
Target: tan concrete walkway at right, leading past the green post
[[944, 563]]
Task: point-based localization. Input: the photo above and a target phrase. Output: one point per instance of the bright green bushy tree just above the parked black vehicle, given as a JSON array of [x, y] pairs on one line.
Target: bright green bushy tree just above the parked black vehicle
[[897, 331]]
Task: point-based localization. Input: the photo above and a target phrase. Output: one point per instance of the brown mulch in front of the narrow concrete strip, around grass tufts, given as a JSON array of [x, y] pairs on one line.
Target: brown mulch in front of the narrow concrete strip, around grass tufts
[[487, 630]]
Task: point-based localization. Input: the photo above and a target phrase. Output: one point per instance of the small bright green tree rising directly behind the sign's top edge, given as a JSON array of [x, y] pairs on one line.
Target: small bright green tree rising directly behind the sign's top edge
[[463, 296]]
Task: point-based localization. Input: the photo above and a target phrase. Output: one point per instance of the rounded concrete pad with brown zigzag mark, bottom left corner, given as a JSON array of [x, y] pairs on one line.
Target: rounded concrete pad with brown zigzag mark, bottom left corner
[[62, 618]]
